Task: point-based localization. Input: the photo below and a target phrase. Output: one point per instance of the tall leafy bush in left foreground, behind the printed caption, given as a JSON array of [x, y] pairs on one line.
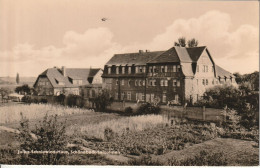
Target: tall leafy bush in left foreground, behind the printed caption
[[49, 136]]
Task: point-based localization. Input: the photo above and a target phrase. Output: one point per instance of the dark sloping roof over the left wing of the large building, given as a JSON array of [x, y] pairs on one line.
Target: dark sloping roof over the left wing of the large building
[[140, 58]]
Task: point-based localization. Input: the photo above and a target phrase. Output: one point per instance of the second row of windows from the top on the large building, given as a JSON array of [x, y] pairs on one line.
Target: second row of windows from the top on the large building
[[163, 82]]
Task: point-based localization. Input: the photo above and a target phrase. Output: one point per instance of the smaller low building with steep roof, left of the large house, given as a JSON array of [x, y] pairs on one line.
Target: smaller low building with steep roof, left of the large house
[[56, 81]]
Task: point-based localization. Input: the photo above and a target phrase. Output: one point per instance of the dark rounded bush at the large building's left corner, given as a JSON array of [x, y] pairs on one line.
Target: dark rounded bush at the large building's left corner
[[103, 100]]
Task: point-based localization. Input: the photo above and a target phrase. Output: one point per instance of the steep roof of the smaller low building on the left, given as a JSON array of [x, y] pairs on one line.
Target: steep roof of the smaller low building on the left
[[55, 76]]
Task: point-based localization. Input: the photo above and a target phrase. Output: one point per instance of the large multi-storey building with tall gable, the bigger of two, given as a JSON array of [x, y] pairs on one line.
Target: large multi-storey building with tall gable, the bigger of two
[[178, 75]]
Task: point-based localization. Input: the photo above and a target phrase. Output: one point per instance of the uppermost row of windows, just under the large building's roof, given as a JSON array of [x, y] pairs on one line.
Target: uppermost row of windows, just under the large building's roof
[[152, 69]]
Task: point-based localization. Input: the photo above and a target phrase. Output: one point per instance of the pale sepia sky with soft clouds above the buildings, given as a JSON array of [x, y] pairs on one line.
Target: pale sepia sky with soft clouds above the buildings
[[40, 34]]
